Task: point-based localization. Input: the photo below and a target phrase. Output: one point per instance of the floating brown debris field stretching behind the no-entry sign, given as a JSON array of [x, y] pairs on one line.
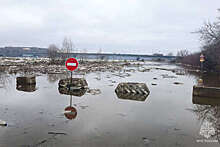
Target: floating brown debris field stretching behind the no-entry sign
[[43, 66]]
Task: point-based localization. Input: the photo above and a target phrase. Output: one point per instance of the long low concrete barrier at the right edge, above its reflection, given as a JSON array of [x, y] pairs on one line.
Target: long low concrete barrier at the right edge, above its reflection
[[201, 91]]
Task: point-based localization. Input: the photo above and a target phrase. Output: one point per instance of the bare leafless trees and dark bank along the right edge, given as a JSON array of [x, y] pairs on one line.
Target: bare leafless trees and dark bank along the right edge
[[210, 36]]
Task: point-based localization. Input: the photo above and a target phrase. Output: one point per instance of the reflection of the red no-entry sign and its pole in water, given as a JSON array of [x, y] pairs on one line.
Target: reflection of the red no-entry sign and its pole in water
[[70, 112]]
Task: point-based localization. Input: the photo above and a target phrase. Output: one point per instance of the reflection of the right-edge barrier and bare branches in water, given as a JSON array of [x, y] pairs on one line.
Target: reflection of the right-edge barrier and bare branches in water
[[208, 112]]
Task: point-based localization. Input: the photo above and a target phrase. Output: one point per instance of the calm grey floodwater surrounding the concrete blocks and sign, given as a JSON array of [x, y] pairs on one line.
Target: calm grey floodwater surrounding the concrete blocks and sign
[[167, 117]]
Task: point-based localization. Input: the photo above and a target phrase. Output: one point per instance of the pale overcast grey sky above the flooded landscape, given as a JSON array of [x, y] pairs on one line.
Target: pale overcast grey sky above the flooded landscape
[[118, 26]]
